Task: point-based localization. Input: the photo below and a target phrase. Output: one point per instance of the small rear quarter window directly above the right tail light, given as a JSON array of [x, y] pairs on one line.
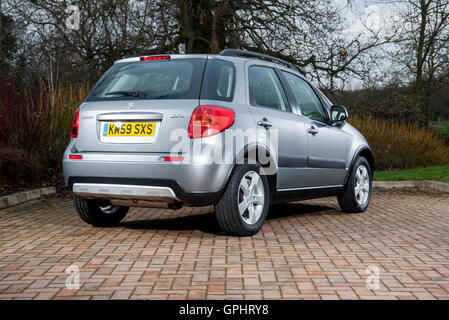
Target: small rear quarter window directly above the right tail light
[[219, 80]]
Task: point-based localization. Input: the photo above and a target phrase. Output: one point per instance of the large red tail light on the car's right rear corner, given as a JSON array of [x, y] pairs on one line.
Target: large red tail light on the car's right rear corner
[[209, 120]]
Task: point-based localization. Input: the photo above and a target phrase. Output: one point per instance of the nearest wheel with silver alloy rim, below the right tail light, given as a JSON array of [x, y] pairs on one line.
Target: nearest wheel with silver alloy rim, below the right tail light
[[257, 197]]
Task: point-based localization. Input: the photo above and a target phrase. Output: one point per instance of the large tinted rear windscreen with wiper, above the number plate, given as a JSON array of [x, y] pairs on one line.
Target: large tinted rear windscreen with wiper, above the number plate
[[157, 79]]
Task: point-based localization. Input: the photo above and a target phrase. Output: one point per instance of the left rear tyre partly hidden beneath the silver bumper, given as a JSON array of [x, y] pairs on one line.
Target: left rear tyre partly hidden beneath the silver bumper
[[98, 213]]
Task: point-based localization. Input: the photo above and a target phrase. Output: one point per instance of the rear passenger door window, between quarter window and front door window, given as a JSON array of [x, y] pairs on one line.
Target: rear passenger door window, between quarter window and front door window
[[265, 89]]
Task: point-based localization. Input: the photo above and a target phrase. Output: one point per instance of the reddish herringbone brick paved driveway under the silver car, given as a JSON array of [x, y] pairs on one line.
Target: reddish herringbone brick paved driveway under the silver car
[[305, 250]]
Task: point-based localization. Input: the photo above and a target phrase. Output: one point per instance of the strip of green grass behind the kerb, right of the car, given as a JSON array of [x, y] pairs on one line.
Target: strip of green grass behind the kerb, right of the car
[[430, 173]]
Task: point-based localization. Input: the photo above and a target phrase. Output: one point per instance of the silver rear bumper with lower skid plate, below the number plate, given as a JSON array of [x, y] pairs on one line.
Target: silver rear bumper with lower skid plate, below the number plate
[[141, 177]]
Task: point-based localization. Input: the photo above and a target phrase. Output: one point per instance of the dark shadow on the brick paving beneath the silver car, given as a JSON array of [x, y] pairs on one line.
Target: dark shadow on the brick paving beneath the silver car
[[207, 223]]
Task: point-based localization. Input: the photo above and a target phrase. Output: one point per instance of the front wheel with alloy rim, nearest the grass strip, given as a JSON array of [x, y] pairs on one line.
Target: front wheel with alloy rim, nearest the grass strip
[[356, 199]]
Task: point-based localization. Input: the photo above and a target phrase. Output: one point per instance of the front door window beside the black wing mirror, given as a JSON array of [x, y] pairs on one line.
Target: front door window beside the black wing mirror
[[305, 96]]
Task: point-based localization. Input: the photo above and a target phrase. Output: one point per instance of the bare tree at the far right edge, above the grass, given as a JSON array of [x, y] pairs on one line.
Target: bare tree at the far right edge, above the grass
[[423, 47]]
